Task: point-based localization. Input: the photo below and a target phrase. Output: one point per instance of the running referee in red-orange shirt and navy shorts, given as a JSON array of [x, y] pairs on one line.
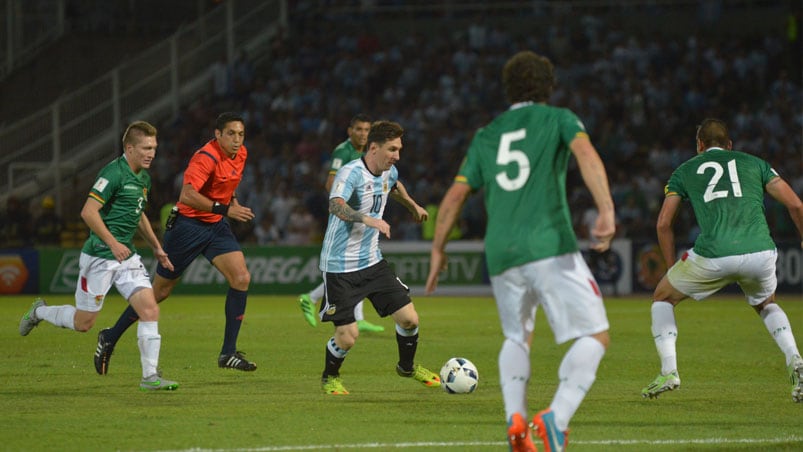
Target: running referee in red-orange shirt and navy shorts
[[201, 227]]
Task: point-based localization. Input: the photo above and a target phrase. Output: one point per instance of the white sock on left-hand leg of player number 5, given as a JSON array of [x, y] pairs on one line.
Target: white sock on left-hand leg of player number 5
[[514, 373]]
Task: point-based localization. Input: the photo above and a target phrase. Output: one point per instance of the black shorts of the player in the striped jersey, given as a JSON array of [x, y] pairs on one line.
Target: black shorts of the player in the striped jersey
[[378, 283]]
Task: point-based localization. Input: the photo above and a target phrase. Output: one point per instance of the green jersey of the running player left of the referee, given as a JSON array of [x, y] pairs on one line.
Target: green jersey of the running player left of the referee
[[123, 195]]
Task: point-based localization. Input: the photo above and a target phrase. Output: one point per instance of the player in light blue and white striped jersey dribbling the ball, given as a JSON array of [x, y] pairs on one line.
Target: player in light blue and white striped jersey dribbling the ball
[[352, 263]]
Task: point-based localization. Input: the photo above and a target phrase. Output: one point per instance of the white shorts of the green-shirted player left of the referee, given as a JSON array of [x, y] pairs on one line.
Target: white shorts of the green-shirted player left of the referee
[[96, 276]]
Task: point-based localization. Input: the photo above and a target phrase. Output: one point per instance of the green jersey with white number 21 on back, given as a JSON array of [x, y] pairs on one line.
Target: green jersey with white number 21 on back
[[726, 191]]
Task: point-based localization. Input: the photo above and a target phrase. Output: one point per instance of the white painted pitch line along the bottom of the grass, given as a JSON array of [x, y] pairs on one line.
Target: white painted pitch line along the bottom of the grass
[[600, 442]]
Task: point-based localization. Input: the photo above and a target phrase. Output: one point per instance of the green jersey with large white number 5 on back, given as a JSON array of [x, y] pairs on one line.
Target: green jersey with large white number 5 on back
[[520, 160]]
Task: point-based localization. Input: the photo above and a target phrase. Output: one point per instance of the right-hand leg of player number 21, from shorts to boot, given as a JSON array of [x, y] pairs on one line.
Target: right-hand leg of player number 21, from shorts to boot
[[758, 281]]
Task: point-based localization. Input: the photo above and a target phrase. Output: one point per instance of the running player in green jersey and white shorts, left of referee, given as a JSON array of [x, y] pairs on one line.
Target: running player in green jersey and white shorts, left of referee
[[114, 210]]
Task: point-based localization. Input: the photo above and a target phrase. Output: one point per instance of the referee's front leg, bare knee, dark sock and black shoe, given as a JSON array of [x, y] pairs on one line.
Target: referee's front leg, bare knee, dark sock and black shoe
[[233, 267]]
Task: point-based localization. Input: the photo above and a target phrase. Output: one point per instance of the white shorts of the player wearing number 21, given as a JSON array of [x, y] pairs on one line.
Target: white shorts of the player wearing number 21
[[699, 277]]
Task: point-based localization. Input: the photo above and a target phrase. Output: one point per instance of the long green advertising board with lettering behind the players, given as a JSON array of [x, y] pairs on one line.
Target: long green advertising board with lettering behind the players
[[293, 270]]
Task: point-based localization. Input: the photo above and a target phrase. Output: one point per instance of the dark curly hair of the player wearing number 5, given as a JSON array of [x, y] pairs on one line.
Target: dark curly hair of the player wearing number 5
[[528, 76]]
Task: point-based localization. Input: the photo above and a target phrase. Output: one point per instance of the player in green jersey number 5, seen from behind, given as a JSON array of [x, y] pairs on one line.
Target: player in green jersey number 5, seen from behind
[[520, 160]]
